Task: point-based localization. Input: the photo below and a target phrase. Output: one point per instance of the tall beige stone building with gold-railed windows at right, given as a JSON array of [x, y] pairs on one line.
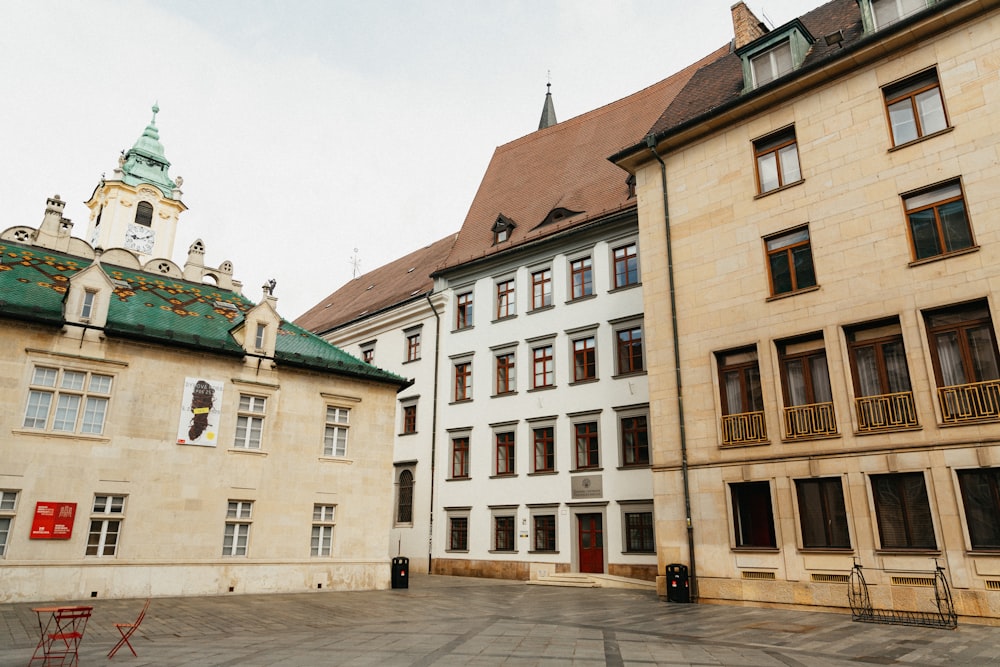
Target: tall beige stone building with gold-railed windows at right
[[819, 204]]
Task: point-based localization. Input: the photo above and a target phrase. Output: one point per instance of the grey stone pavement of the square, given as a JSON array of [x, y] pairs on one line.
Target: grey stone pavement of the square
[[443, 620]]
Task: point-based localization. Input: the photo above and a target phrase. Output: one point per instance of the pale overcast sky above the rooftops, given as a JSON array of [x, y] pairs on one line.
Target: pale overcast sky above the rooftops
[[307, 128]]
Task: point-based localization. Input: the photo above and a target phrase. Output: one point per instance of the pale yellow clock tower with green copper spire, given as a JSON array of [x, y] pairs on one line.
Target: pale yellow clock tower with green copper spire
[[137, 208]]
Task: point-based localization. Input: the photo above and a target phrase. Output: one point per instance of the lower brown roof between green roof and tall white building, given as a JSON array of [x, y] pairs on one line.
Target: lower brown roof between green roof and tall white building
[[403, 280]]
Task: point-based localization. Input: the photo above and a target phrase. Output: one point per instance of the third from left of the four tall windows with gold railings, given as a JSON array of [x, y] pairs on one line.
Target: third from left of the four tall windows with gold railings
[[883, 398]]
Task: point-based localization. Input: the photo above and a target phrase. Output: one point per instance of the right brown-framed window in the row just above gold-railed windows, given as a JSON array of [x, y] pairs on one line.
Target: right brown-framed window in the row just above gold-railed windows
[[937, 221]]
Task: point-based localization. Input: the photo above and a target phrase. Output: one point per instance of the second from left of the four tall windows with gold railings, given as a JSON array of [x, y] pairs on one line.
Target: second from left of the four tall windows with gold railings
[[805, 380]]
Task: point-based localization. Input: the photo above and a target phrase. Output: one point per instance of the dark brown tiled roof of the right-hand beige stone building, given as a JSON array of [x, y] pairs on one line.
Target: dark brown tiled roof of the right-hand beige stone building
[[720, 82]]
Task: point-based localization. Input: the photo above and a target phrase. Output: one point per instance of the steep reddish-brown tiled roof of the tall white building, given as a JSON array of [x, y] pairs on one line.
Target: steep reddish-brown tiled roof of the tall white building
[[563, 166]]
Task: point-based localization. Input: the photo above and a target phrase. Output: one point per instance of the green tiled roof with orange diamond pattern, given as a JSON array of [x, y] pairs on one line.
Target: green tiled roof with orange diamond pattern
[[34, 282]]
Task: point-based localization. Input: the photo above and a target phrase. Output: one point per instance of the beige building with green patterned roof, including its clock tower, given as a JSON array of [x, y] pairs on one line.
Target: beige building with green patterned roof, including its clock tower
[[161, 434]]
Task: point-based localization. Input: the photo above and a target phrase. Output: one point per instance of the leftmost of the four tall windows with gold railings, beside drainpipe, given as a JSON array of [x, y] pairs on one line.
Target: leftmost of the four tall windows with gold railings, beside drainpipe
[[742, 400]]
